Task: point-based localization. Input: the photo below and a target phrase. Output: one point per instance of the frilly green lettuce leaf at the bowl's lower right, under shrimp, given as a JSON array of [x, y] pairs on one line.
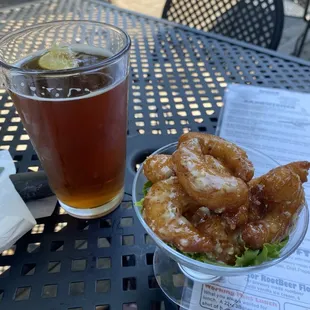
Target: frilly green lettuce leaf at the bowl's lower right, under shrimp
[[256, 257]]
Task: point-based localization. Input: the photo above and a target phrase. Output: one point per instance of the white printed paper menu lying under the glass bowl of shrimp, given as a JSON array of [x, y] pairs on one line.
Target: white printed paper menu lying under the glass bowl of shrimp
[[276, 122]]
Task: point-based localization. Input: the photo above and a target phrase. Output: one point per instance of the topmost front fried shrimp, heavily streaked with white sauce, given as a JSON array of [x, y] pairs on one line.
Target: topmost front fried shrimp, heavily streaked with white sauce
[[206, 180]]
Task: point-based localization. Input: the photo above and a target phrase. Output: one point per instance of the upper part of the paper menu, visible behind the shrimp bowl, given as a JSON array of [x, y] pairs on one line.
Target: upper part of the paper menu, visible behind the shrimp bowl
[[276, 122]]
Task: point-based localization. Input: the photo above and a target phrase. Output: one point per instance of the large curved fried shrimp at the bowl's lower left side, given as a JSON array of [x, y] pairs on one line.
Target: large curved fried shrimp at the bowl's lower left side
[[163, 207]]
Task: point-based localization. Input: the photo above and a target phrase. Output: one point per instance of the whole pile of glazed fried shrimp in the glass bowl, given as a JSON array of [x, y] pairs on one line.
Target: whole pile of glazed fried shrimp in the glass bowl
[[203, 200]]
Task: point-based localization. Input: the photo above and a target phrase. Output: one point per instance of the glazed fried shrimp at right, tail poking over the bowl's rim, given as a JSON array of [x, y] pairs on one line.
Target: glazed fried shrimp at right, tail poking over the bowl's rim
[[281, 193]]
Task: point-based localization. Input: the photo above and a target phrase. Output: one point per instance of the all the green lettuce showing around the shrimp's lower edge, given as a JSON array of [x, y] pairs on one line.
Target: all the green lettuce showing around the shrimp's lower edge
[[248, 258]]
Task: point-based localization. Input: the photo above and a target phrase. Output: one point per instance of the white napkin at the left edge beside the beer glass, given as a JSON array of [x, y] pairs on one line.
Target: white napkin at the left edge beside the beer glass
[[15, 217]]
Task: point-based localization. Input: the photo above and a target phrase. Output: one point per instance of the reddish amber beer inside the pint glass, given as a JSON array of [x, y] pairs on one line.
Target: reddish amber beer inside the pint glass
[[81, 142]]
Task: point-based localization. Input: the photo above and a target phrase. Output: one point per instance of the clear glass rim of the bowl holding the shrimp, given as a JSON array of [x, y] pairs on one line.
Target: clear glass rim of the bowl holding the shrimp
[[195, 264]]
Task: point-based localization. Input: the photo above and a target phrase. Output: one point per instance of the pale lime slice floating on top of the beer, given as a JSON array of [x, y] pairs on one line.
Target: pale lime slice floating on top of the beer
[[58, 58]]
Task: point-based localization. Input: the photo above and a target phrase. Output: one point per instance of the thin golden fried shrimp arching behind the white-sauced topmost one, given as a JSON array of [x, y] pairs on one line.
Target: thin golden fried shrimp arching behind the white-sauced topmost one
[[230, 155]]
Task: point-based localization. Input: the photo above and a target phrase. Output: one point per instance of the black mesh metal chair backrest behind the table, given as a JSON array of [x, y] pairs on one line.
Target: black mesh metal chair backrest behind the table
[[259, 22]]
